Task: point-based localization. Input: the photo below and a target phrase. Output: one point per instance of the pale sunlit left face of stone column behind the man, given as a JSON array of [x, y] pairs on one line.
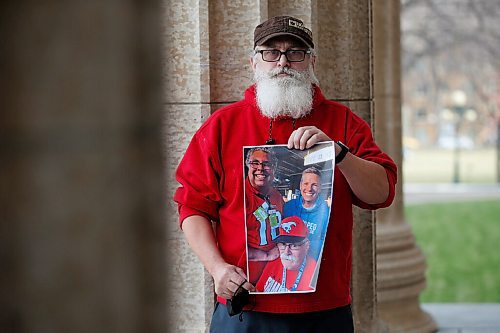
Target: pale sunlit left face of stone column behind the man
[[186, 73]]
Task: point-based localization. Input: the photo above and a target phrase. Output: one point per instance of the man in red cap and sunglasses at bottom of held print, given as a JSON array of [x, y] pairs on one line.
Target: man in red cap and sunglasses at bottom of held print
[[294, 270]]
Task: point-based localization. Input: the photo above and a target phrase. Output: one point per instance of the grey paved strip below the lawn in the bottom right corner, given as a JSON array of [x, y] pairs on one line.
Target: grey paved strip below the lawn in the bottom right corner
[[465, 318]]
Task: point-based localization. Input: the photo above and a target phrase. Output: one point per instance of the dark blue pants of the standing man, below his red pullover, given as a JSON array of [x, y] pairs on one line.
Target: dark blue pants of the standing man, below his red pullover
[[337, 320]]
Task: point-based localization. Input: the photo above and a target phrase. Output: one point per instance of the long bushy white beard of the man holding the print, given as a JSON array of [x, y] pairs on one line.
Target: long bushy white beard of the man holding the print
[[285, 96]]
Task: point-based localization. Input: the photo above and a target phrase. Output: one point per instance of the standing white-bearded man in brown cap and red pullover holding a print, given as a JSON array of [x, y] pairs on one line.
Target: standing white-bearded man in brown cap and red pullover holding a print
[[284, 106]]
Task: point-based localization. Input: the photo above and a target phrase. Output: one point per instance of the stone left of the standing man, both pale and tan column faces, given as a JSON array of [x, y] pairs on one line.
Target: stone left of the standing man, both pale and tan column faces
[[207, 48]]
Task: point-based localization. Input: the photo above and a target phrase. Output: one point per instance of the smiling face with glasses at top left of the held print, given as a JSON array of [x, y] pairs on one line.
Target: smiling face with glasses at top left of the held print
[[260, 171]]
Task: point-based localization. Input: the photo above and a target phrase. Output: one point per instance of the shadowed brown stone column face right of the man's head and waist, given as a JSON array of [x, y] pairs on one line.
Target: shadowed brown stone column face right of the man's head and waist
[[343, 35]]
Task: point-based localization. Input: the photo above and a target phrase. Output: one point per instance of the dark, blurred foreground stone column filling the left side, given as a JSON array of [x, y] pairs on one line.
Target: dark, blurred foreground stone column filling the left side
[[82, 236]]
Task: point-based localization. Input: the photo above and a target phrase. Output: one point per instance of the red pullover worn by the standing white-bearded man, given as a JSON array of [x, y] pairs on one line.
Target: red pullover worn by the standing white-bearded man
[[211, 185]]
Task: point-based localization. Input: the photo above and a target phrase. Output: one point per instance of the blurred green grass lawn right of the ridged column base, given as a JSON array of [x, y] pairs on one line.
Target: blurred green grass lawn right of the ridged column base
[[461, 241]]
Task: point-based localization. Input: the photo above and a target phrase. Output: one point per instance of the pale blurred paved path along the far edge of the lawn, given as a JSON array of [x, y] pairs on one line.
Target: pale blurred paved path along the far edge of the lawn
[[423, 193]]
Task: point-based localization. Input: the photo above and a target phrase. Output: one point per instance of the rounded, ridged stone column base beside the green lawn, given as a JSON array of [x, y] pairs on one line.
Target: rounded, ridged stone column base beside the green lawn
[[400, 279]]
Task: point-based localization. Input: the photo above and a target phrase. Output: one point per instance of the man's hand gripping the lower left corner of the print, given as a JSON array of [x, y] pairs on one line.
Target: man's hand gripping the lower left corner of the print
[[227, 279]]
